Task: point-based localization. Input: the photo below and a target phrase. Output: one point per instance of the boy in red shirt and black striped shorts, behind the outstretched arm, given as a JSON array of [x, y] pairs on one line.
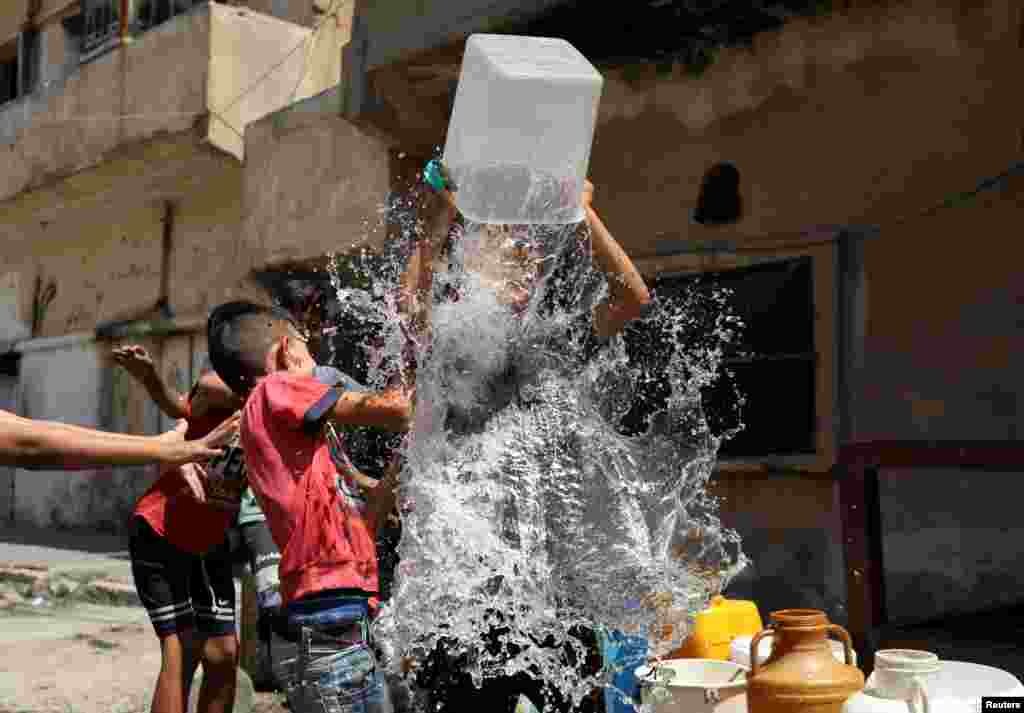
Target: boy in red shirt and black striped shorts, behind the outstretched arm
[[181, 563]]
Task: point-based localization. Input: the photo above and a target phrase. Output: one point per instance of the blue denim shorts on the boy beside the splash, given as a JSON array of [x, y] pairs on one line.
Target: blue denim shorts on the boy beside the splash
[[335, 670]]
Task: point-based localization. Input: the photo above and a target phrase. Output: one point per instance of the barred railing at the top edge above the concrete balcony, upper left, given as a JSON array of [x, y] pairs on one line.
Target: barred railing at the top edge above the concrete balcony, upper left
[[102, 21]]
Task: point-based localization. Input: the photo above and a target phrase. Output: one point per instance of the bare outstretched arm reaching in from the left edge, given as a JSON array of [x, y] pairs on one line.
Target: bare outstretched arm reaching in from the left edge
[[30, 444]]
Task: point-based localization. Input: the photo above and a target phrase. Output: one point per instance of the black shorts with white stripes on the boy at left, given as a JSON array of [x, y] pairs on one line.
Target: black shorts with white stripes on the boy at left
[[182, 592]]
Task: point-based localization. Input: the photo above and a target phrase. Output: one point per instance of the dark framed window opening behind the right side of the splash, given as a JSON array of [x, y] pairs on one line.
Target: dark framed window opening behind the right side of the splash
[[773, 366]]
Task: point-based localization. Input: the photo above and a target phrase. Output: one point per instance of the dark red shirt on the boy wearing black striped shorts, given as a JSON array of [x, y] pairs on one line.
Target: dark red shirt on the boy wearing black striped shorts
[[173, 513]]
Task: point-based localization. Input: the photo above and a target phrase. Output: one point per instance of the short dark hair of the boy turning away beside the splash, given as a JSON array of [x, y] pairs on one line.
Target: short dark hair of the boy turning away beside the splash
[[239, 337]]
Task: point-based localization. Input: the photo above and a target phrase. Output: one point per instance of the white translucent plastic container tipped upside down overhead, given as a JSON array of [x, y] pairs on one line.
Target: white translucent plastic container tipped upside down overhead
[[520, 140]]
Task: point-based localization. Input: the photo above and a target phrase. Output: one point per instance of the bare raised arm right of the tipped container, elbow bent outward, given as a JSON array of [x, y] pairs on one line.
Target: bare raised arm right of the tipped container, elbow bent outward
[[628, 295]]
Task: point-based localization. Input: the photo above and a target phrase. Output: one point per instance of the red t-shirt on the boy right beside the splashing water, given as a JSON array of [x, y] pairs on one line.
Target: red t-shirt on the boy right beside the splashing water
[[325, 537]]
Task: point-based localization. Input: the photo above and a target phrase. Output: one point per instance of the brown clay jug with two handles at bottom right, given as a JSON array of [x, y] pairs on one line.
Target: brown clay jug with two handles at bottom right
[[802, 676]]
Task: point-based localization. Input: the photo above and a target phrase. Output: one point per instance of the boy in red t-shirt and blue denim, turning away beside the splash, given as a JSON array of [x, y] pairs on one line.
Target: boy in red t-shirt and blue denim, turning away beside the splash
[[323, 526]]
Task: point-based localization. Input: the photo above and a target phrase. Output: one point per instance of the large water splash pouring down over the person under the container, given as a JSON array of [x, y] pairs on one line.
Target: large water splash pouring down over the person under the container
[[533, 495]]
